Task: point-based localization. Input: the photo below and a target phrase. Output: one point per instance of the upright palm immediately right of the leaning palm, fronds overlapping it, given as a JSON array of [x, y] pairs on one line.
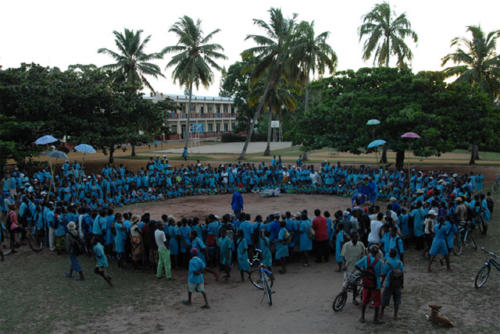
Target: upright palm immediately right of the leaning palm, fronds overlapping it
[[314, 54]]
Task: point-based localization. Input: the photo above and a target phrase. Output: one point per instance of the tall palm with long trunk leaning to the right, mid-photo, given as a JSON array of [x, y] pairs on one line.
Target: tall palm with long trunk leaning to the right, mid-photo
[[273, 59]]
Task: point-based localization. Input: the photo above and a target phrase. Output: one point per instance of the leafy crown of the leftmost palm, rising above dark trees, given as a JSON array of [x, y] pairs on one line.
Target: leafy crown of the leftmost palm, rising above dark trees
[[132, 63]]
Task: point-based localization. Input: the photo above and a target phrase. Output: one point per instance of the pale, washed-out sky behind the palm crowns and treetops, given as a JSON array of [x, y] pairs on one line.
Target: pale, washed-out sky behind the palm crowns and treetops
[[61, 32]]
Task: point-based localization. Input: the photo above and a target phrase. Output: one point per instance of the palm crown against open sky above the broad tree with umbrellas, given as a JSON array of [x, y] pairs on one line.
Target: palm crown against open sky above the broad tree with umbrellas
[[385, 34]]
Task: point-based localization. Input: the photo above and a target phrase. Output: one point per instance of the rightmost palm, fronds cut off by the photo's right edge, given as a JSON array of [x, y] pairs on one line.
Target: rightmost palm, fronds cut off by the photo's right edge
[[476, 63]]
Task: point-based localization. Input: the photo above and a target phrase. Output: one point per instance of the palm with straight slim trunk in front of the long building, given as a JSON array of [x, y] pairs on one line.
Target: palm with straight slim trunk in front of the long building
[[193, 59]]
